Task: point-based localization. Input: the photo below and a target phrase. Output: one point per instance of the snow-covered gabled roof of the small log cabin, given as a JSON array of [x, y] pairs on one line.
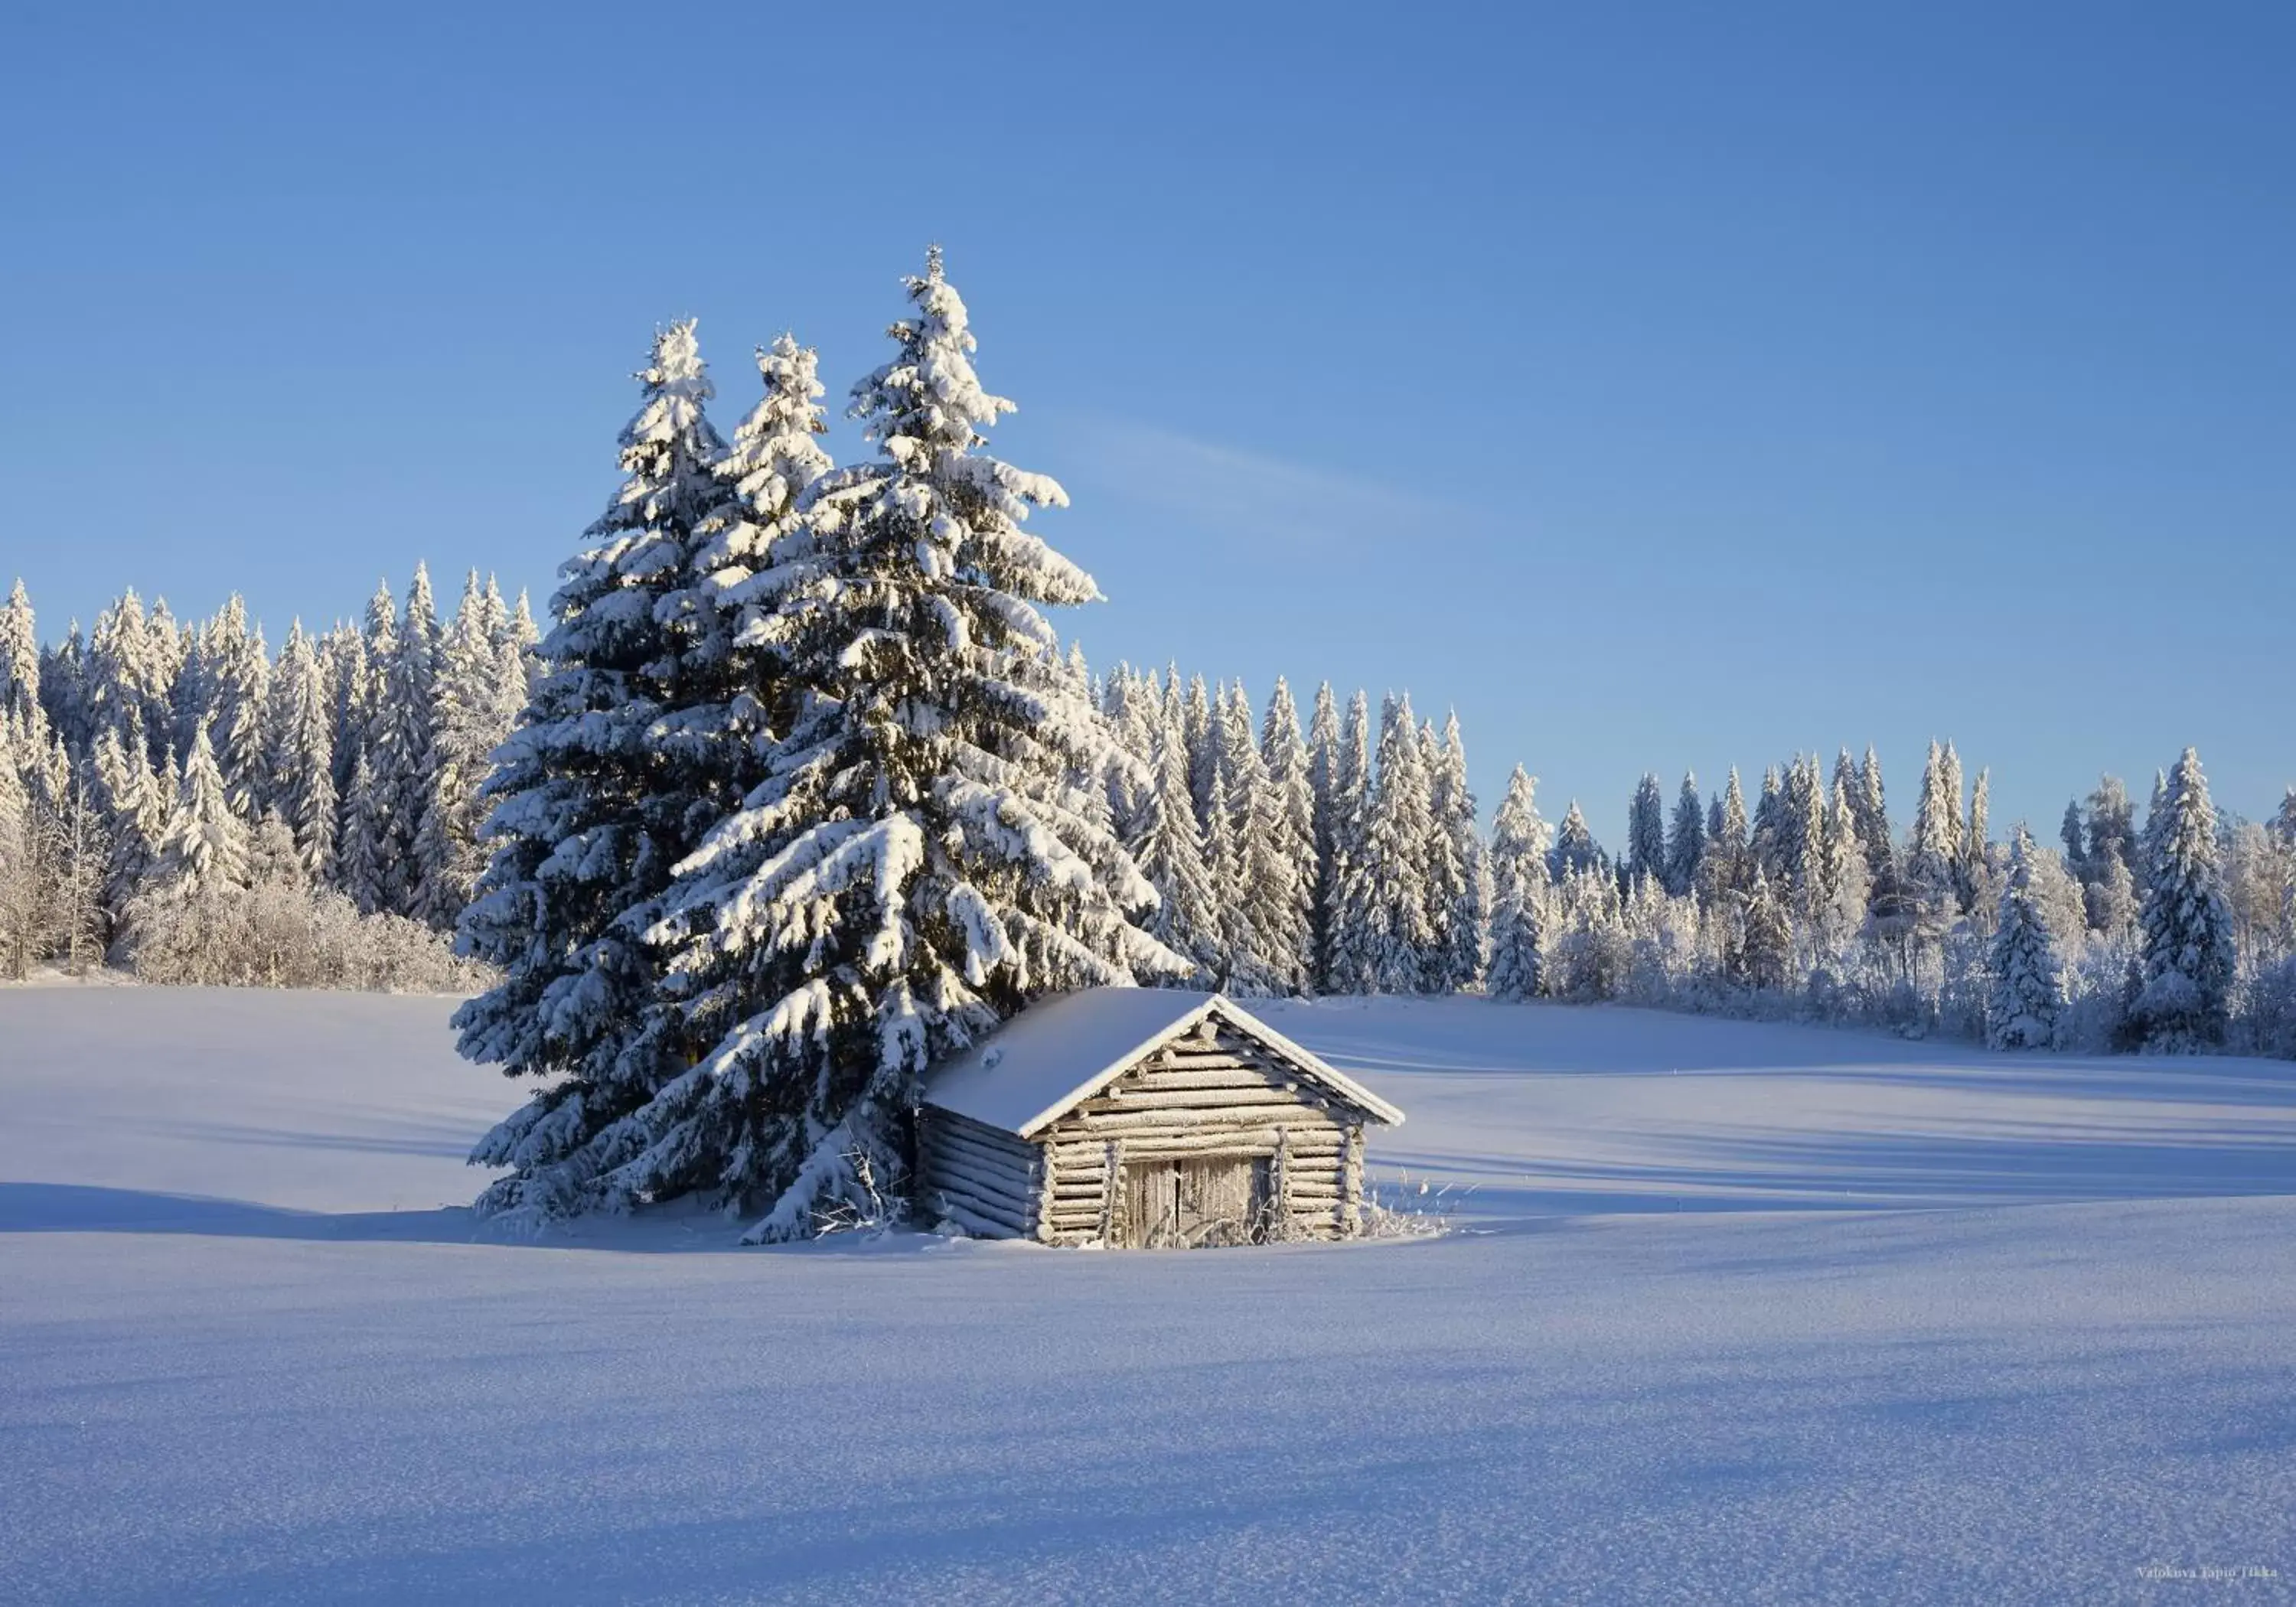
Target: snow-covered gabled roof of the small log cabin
[[1064, 1050]]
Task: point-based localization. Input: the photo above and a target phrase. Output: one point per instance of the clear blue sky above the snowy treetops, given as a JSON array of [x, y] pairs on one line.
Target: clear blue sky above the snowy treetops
[[1661, 387]]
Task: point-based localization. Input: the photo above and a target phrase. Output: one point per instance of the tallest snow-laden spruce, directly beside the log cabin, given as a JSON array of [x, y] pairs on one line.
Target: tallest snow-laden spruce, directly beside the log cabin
[[920, 864]]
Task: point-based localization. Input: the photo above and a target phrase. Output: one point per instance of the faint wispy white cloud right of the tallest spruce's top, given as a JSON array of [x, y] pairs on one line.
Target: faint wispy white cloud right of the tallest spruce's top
[[1236, 495]]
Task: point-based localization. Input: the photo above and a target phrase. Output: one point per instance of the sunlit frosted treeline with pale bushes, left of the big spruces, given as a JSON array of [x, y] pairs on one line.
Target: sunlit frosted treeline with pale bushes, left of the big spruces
[[178, 800]]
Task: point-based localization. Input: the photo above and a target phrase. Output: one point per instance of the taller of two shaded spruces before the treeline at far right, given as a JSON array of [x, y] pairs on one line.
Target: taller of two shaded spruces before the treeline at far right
[[2187, 931]]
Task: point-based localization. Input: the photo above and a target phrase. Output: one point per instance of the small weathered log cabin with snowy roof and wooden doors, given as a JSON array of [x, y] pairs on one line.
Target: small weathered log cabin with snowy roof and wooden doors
[[1142, 1119]]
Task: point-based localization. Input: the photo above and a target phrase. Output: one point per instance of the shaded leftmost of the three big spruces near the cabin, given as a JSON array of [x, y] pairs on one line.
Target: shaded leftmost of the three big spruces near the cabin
[[584, 834]]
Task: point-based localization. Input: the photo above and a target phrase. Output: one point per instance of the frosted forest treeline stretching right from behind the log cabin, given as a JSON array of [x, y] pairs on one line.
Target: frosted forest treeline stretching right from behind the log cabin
[[1305, 862]]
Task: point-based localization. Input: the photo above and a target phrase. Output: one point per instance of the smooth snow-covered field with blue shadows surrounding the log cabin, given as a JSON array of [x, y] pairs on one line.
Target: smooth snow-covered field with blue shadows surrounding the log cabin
[[1737, 1314]]
